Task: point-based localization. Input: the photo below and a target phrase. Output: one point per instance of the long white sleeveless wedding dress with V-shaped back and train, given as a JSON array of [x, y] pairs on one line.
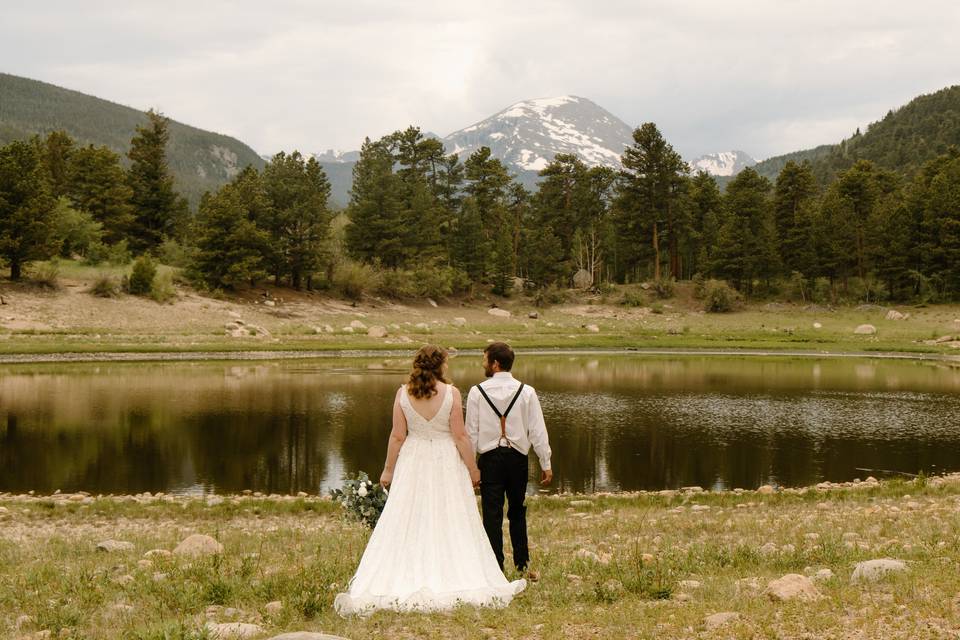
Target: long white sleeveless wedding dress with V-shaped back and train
[[429, 551]]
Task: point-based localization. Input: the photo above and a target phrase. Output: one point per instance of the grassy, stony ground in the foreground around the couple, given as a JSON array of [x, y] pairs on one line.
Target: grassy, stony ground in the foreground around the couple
[[651, 565]]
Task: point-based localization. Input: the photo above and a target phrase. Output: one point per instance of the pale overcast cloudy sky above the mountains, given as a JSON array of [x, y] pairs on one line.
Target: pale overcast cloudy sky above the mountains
[[765, 76]]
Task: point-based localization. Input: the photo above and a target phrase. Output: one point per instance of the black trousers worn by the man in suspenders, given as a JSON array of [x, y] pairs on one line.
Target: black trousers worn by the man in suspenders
[[504, 472]]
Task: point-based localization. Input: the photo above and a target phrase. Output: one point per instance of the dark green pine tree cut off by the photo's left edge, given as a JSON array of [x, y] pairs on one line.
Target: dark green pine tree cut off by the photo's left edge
[[27, 221]]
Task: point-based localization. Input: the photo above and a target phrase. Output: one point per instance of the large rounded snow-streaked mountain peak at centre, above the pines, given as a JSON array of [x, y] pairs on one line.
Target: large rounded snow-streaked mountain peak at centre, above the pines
[[530, 133]]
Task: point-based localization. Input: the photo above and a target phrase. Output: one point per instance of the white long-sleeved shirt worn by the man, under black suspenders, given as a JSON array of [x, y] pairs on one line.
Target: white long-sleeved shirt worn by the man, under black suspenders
[[525, 425]]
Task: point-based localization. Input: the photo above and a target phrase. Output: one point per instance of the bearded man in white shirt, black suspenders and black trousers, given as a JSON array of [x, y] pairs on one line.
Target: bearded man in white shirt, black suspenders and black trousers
[[504, 420]]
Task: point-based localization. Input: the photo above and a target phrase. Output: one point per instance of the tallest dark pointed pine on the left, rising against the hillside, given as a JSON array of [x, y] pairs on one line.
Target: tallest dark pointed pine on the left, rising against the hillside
[[159, 211]]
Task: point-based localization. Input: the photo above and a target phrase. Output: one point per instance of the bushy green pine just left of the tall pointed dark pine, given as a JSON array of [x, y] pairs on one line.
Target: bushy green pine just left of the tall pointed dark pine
[[96, 183]]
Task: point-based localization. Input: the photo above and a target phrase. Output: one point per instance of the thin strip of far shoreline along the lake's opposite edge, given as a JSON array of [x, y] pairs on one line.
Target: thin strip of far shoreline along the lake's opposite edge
[[288, 354]]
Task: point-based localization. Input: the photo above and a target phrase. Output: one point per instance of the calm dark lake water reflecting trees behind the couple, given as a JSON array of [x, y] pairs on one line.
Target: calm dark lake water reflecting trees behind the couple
[[616, 422]]
